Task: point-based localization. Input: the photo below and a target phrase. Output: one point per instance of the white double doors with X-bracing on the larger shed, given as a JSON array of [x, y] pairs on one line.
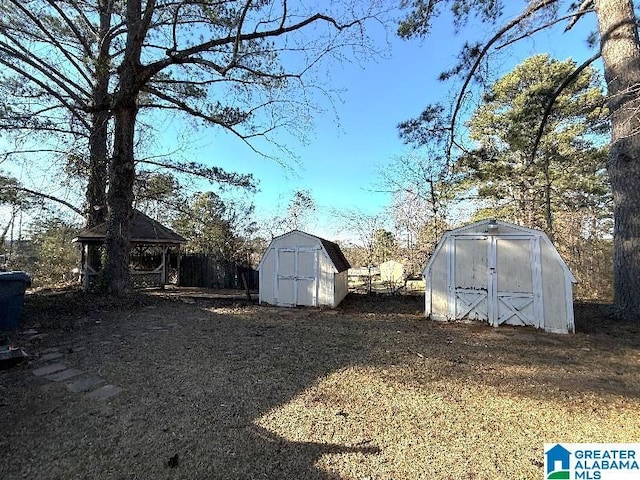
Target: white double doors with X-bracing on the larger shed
[[496, 279]]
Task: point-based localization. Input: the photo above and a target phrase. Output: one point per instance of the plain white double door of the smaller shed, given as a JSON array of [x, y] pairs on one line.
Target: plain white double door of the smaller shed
[[296, 276]]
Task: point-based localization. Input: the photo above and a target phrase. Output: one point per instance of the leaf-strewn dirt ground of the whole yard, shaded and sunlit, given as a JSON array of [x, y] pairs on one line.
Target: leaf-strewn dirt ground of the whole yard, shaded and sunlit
[[216, 387]]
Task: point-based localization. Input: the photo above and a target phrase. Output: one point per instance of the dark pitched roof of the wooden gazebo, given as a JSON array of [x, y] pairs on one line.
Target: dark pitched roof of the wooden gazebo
[[143, 230]]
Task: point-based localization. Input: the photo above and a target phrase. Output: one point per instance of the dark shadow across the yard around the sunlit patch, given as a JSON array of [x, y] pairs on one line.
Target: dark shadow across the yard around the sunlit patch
[[199, 373]]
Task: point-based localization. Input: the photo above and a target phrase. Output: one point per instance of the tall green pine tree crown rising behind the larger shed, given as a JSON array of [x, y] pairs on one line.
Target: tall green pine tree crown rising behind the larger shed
[[567, 172]]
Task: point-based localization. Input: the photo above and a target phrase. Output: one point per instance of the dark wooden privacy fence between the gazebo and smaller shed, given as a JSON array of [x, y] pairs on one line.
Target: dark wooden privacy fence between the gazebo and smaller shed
[[207, 271]]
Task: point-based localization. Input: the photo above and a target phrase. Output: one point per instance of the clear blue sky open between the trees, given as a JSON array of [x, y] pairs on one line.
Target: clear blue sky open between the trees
[[339, 164]]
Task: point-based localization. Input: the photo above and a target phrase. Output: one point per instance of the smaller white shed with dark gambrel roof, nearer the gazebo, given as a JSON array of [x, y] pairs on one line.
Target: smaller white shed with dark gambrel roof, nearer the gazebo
[[301, 269]]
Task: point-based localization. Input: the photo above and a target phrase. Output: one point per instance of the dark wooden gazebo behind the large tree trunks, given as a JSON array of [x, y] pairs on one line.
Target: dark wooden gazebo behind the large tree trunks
[[155, 252]]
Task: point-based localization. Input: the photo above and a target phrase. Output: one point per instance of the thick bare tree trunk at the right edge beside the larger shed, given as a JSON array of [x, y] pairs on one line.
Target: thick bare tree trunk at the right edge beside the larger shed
[[620, 49]]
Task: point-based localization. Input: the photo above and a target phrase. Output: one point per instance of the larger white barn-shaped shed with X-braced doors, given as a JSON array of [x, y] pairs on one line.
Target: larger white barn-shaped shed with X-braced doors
[[499, 272]]
